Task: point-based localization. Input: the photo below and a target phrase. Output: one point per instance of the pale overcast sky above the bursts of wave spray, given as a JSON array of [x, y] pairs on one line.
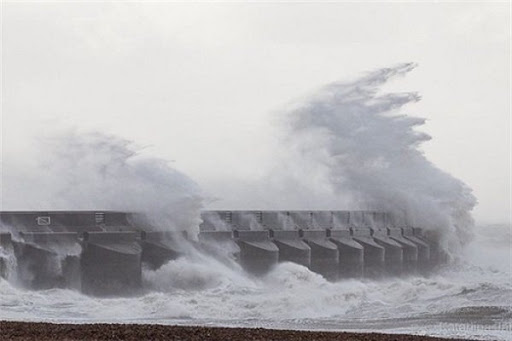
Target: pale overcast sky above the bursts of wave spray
[[201, 83]]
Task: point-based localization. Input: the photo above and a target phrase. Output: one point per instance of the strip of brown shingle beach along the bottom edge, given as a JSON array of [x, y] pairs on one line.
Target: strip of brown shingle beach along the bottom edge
[[48, 331]]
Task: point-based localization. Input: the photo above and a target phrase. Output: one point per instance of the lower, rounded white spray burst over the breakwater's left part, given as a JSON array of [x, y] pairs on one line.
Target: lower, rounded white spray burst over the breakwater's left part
[[73, 170]]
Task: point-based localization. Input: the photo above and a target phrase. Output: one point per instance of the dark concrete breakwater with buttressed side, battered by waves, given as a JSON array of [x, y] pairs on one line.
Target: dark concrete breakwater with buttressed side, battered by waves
[[103, 252]]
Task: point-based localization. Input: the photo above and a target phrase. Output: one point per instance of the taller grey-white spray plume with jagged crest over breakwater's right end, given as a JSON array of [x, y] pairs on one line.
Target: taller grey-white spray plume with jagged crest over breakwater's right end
[[351, 145]]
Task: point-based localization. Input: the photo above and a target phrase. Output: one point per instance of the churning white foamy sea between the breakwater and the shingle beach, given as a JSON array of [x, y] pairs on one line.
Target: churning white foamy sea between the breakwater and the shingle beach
[[469, 298]]
